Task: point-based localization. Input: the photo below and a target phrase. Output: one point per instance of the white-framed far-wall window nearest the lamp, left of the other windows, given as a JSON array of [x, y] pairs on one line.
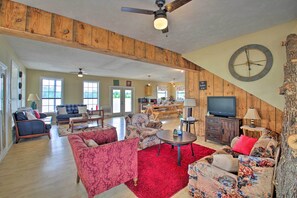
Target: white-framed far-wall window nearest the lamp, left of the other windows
[[51, 94]]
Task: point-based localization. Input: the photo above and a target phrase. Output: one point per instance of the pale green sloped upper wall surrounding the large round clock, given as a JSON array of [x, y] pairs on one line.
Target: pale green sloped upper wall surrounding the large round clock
[[215, 59]]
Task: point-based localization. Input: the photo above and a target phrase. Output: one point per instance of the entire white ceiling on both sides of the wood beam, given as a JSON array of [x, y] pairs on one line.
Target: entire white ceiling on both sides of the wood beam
[[198, 24]]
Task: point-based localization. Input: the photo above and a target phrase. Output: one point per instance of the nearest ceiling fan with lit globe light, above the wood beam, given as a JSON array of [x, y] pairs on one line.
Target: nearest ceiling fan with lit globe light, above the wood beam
[[160, 22]]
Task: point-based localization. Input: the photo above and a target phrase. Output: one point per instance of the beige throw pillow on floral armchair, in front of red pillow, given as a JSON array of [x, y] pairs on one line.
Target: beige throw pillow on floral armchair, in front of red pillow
[[225, 162]]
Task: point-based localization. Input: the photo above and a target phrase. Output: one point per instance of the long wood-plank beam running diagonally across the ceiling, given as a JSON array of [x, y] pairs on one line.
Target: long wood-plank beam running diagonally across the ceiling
[[24, 21]]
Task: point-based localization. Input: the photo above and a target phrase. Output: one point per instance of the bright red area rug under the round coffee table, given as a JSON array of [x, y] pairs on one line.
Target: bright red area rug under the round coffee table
[[159, 176]]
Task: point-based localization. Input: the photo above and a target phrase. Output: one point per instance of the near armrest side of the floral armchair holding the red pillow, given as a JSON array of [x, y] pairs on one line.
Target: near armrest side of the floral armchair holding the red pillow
[[255, 176]]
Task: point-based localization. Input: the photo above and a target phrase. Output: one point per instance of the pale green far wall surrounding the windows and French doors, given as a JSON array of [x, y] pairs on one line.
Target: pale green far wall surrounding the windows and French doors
[[73, 86]]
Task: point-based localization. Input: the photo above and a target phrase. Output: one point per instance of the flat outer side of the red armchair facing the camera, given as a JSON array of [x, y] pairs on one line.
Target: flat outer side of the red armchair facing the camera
[[108, 165]]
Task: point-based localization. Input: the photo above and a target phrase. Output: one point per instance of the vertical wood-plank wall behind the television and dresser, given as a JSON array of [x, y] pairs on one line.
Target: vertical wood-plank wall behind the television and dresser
[[271, 117]]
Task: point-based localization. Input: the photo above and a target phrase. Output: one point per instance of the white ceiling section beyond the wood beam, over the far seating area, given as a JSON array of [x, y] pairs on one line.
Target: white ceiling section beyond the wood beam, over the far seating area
[[50, 57]]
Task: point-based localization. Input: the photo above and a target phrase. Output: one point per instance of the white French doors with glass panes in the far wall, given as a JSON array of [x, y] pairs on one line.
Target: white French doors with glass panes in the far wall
[[122, 100]]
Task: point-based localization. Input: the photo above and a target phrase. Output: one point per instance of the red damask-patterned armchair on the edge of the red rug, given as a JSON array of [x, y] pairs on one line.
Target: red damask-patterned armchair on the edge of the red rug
[[107, 165]]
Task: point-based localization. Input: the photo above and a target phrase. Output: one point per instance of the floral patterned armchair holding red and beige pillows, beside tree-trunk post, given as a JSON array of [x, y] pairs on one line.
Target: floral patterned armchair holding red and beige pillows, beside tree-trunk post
[[253, 177]]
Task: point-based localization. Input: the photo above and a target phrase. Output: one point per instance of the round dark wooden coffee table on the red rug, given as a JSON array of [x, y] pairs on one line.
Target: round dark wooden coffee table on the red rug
[[167, 137]]
